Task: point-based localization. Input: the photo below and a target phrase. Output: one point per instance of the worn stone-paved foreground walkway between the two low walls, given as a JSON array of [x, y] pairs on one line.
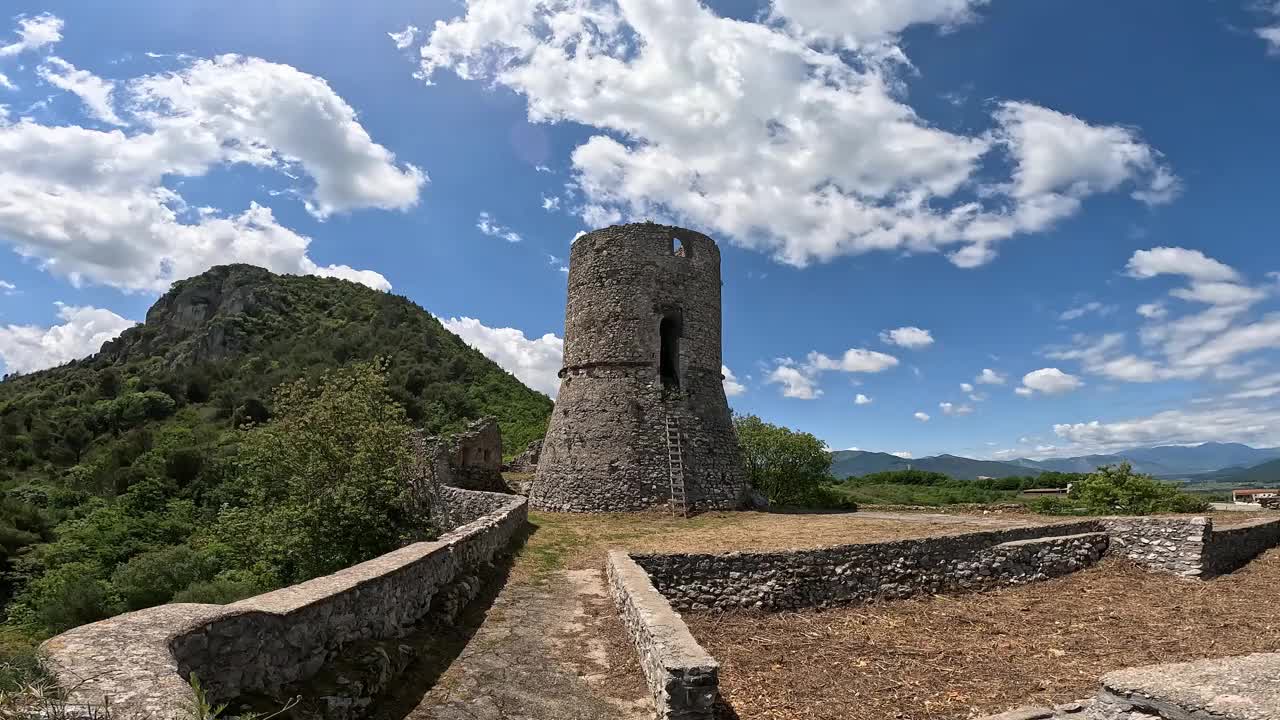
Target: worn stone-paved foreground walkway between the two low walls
[[541, 655]]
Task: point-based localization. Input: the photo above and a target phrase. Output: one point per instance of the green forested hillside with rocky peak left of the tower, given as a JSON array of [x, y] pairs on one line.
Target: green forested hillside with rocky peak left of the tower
[[111, 464]]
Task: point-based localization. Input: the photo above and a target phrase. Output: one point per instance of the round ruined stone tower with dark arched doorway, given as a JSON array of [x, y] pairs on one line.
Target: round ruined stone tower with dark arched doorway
[[642, 347]]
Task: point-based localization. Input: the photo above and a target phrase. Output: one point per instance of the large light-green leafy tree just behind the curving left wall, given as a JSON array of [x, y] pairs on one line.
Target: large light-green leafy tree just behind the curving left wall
[[323, 481]]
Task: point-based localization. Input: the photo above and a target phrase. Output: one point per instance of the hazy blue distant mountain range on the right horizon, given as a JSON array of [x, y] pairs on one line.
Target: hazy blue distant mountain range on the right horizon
[[1210, 462]]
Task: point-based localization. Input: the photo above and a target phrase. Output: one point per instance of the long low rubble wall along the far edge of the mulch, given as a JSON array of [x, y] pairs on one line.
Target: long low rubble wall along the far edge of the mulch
[[858, 573]]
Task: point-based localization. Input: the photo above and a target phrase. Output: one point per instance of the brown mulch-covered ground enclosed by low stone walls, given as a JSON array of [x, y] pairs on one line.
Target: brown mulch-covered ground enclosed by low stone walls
[[957, 657]]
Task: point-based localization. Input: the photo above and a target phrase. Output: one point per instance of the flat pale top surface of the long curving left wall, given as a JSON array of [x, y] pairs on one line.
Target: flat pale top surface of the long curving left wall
[[130, 659]]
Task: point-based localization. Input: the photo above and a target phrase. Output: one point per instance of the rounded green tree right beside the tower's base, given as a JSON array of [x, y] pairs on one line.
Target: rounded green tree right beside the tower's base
[[788, 467]]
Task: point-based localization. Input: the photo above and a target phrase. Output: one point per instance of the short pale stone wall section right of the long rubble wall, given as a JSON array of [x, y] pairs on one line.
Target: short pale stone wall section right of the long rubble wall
[[1169, 545]]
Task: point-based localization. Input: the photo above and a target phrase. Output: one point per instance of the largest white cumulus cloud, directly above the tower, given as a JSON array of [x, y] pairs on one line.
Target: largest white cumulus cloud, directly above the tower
[[765, 133]]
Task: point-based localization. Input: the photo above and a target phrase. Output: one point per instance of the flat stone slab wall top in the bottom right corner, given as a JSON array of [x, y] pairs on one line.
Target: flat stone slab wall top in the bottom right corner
[[1245, 687]]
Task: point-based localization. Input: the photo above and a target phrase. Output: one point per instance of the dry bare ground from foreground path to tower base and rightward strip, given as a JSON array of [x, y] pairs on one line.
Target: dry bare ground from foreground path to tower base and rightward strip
[[550, 644]]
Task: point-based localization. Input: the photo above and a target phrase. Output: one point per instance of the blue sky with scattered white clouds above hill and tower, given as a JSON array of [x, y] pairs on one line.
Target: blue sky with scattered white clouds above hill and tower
[[1078, 198]]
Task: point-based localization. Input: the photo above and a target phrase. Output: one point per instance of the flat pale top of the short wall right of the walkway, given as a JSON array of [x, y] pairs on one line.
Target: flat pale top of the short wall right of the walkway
[[678, 650]]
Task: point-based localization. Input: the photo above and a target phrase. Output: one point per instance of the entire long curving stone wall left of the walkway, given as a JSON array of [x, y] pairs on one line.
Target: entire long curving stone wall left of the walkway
[[141, 660]]
